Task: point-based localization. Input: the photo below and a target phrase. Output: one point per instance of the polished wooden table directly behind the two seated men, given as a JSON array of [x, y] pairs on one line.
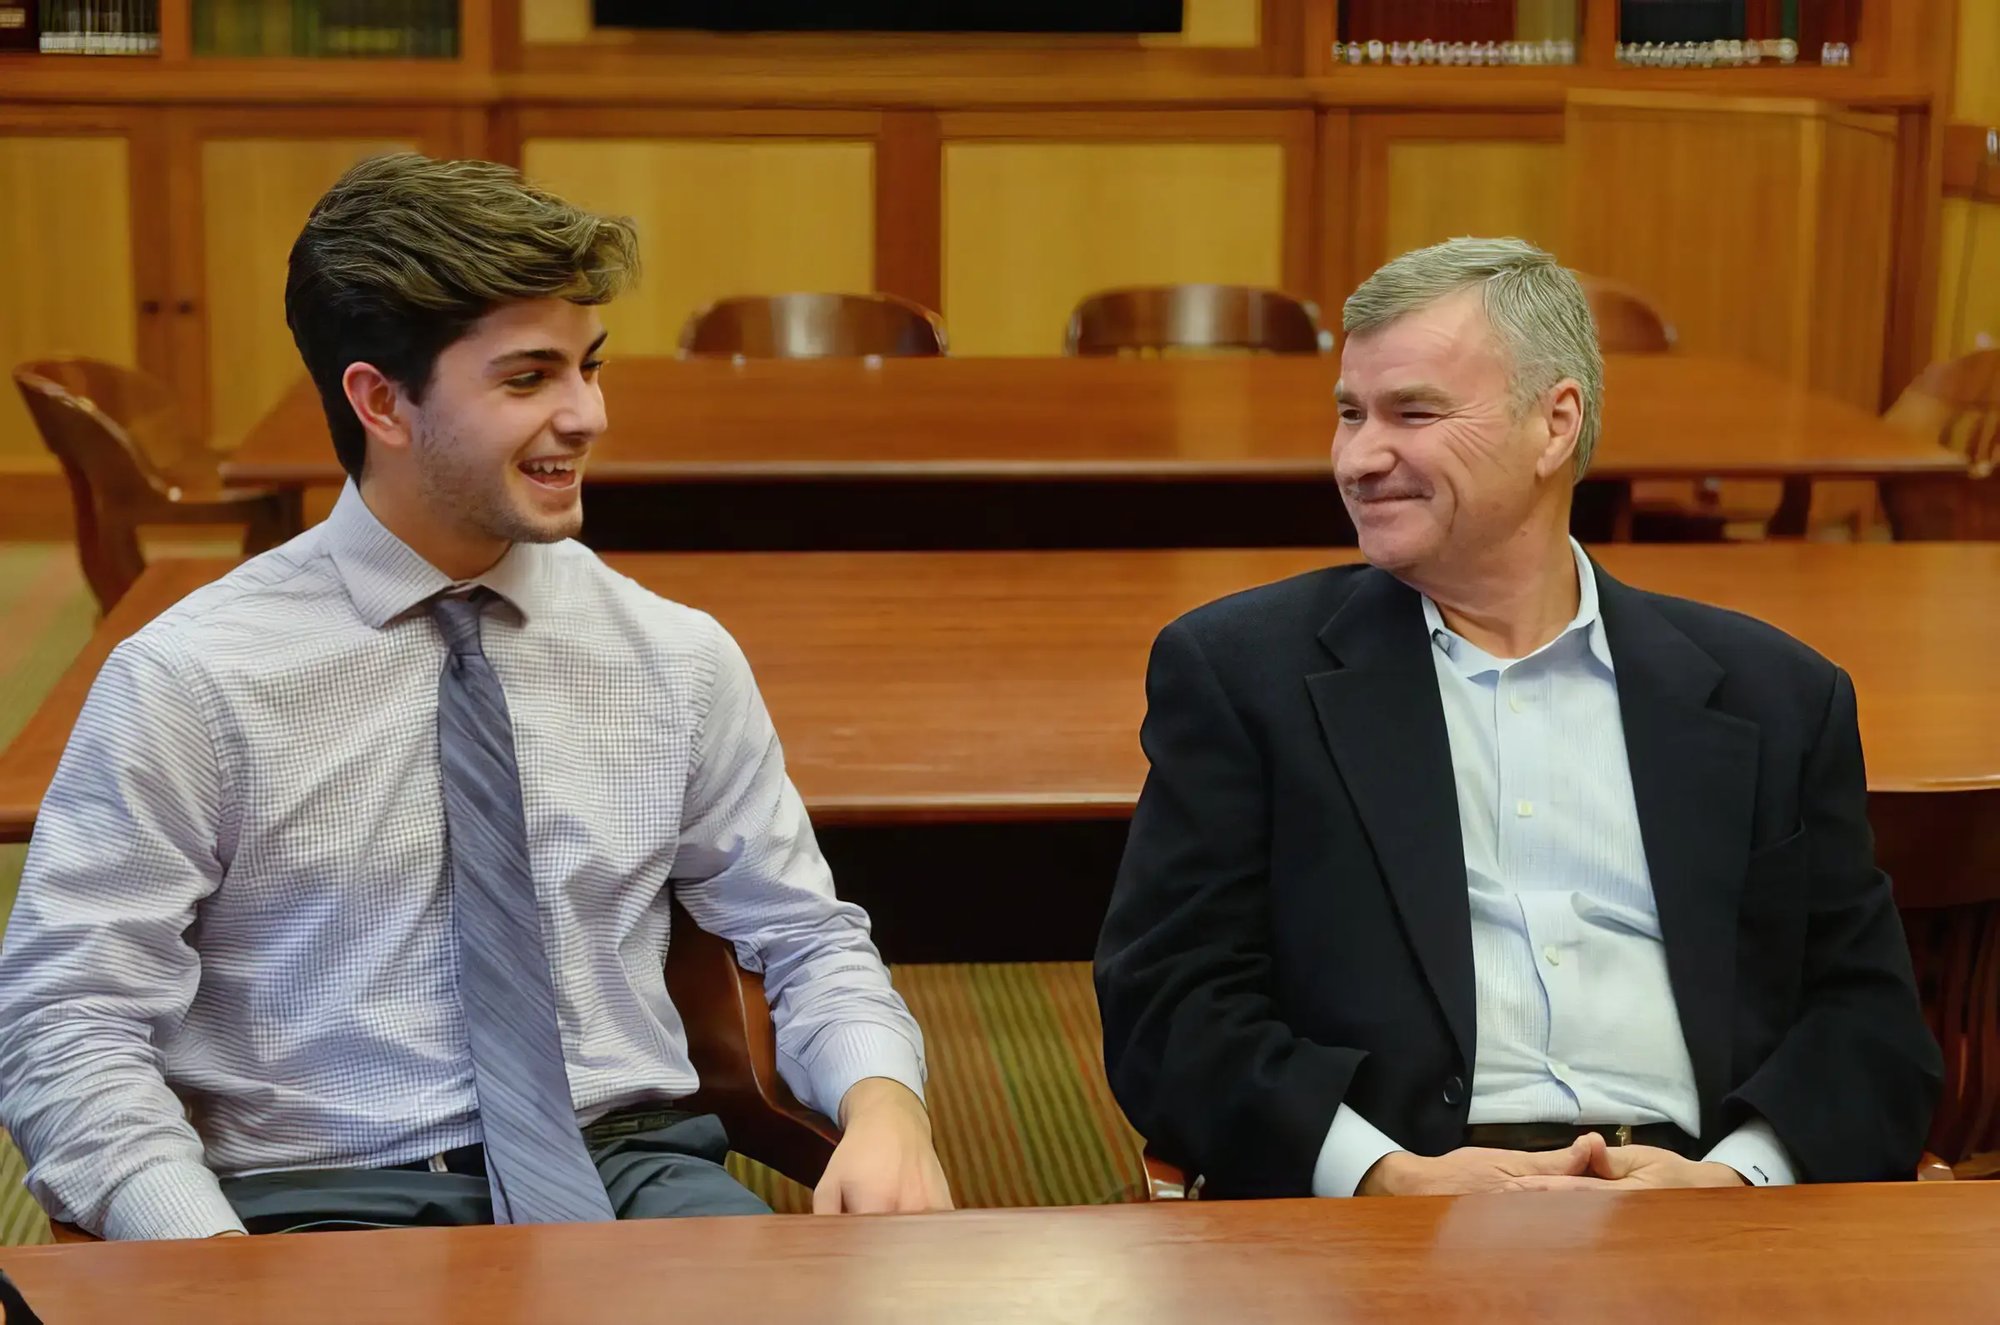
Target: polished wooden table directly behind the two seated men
[[921, 688]]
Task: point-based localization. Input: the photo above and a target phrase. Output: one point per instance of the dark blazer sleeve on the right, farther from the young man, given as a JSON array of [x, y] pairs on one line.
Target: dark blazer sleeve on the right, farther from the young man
[[1853, 1084]]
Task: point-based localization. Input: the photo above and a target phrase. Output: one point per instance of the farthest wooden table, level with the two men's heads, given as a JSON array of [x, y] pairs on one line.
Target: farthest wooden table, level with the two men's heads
[[939, 453]]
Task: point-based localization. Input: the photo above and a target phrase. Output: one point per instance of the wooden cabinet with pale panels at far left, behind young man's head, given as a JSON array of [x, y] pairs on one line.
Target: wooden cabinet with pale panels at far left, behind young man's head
[[161, 241]]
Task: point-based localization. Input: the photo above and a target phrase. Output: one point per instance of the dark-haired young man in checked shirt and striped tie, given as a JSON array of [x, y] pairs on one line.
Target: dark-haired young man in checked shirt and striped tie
[[351, 898]]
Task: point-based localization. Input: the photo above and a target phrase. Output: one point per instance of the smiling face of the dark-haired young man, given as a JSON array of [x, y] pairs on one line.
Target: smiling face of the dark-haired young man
[[501, 441]]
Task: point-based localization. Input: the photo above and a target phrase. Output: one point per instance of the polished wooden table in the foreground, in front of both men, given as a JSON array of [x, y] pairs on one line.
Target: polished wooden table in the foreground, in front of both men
[[1911, 1252]]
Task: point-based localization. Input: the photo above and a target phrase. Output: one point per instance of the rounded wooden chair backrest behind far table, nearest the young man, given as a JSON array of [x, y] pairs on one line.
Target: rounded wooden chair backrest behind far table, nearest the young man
[[813, 327]]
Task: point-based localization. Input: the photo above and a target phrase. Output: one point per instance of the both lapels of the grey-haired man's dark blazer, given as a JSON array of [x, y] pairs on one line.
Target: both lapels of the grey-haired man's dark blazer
[[1693, 778]]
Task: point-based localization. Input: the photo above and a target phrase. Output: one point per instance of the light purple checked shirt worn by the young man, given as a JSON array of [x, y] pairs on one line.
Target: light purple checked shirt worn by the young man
[[233, 948]]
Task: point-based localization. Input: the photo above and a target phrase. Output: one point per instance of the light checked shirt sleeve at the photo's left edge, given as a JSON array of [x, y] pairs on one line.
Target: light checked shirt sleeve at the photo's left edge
[[97, 966]]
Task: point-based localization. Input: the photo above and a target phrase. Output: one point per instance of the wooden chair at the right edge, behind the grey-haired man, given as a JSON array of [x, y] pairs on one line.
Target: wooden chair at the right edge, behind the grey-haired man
[[1959, 403]]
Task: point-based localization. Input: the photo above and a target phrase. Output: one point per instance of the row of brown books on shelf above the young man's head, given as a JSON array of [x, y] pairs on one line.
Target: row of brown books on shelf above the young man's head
[[313, 29]]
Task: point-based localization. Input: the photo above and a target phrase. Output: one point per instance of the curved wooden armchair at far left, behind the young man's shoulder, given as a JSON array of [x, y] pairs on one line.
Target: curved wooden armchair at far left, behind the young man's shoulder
[[131, 463]]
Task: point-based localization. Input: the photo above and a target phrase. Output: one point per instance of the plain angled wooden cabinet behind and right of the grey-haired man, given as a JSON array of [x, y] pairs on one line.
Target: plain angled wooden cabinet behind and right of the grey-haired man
[[1765, 229]]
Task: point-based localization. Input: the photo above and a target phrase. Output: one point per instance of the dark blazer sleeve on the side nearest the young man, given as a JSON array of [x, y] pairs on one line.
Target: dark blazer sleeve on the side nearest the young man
[[1193, 1042]]
